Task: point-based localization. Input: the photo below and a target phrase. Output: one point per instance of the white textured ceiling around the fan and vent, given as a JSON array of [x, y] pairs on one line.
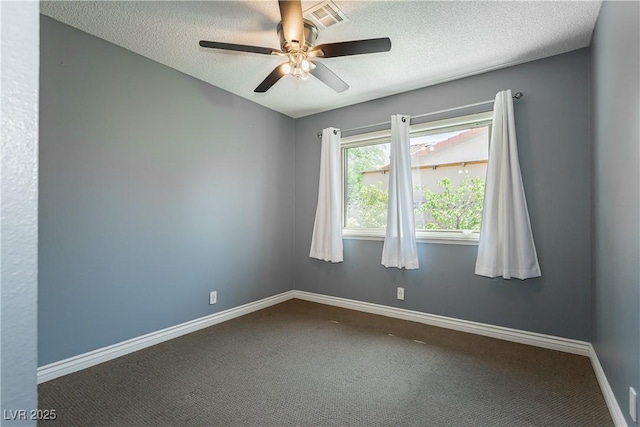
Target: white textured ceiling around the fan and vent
[[432, 41]]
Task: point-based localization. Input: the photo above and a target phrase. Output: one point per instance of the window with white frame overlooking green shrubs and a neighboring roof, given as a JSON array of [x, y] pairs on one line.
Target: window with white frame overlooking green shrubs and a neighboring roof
[[449, 164]]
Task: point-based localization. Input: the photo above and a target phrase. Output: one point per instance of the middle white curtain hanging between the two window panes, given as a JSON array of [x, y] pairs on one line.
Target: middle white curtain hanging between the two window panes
[[399, 249]]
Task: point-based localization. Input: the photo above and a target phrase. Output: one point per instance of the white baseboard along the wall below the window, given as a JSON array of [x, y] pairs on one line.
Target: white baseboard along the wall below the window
[[531, 338]]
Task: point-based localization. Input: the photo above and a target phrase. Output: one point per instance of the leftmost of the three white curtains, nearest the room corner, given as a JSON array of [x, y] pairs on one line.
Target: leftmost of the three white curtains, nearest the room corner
[[326, 242]]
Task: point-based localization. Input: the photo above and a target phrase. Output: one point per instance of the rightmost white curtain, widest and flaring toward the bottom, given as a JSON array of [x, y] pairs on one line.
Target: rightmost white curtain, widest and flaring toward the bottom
[[506, 245]]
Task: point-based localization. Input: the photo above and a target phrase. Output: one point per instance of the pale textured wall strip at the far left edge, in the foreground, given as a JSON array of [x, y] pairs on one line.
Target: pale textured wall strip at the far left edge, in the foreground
[[19, 206]]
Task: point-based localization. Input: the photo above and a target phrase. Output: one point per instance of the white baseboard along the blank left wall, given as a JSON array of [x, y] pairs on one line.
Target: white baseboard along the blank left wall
[[92, 358]]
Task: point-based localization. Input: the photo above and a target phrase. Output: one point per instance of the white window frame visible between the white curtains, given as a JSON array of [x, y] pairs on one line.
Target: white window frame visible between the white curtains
[[457, 237]]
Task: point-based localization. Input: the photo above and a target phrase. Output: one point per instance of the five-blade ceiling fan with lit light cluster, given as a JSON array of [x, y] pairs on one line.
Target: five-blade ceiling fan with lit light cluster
[[297, 40]]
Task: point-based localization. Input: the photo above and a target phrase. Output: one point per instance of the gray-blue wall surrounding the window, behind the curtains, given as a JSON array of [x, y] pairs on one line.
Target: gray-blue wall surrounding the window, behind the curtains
[[553, 141]]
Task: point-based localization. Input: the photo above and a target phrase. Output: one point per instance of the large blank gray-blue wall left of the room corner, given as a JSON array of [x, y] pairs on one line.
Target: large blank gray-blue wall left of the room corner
[[155, 188]]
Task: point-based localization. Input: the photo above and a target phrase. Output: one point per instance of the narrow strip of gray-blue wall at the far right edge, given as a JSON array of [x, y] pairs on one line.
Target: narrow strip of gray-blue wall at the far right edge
[[616, 196]]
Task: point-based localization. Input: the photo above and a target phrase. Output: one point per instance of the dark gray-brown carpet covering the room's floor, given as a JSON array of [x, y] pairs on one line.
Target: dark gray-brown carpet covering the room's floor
[[305, 364]]
